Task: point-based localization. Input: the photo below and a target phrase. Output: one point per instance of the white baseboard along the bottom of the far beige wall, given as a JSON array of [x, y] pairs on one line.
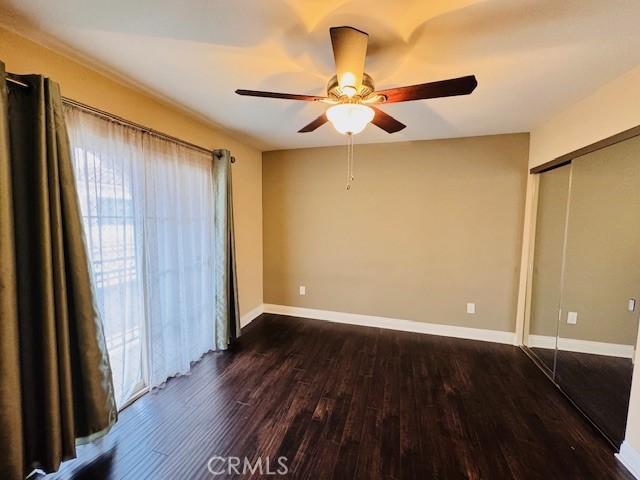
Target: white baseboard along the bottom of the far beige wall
[[495, 336]]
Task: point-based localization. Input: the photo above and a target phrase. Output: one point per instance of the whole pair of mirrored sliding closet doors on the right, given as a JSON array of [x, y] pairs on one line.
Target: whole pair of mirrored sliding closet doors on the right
[[585, 281]]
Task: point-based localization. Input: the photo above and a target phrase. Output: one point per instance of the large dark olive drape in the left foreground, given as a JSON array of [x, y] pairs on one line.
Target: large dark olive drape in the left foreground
[[55, 378]]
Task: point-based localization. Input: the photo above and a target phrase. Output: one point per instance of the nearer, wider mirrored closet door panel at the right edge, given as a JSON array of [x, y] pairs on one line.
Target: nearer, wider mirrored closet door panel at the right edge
[[598, 323]]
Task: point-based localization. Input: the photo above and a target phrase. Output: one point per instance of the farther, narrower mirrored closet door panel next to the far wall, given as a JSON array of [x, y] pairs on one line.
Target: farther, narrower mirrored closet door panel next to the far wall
[[551, 215]]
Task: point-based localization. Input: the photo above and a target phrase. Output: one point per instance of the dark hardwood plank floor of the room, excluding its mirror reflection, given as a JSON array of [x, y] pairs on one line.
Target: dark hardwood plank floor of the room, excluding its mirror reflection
[[350, 402]]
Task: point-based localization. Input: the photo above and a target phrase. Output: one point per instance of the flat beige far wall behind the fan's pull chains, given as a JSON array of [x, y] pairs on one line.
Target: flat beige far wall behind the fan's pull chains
[[426, 227]]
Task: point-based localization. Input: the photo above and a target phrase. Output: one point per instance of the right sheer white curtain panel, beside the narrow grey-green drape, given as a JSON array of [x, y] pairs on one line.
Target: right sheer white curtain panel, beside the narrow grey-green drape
[[179, 253]]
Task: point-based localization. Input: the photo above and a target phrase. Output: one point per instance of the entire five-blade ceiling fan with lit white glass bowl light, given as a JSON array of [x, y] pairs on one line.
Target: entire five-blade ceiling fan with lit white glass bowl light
[[352, 94]]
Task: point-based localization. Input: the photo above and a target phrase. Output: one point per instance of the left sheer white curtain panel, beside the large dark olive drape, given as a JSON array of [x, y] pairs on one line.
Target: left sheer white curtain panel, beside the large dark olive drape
[[108, 167]]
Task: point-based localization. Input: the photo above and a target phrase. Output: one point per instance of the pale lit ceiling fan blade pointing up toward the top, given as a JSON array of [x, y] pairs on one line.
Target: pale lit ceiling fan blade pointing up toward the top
[[349, 52]]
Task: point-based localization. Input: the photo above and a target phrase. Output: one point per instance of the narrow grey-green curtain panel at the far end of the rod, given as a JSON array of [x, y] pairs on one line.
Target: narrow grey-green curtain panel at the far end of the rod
[[227, 309]]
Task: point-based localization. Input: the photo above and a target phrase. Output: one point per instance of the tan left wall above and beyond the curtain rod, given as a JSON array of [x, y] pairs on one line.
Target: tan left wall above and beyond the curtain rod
[[78, 82]]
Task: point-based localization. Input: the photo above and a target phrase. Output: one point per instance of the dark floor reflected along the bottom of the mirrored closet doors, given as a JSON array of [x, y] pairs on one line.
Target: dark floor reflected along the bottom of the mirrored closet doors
[[599, 385]]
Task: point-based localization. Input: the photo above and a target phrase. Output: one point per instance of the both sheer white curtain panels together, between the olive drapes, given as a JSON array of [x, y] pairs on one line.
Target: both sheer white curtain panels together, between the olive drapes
[[147, 207]]
